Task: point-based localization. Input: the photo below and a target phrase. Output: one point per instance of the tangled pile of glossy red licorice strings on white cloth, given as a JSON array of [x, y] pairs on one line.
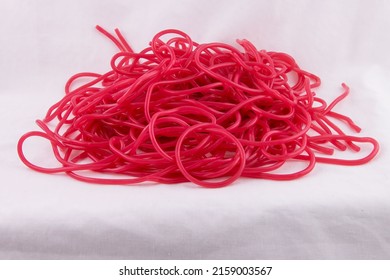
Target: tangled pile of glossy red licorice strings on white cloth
[[207, 113]]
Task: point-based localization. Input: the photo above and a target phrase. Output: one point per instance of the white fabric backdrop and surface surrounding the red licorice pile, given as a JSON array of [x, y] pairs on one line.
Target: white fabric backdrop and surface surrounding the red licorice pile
[[335, 212]]
